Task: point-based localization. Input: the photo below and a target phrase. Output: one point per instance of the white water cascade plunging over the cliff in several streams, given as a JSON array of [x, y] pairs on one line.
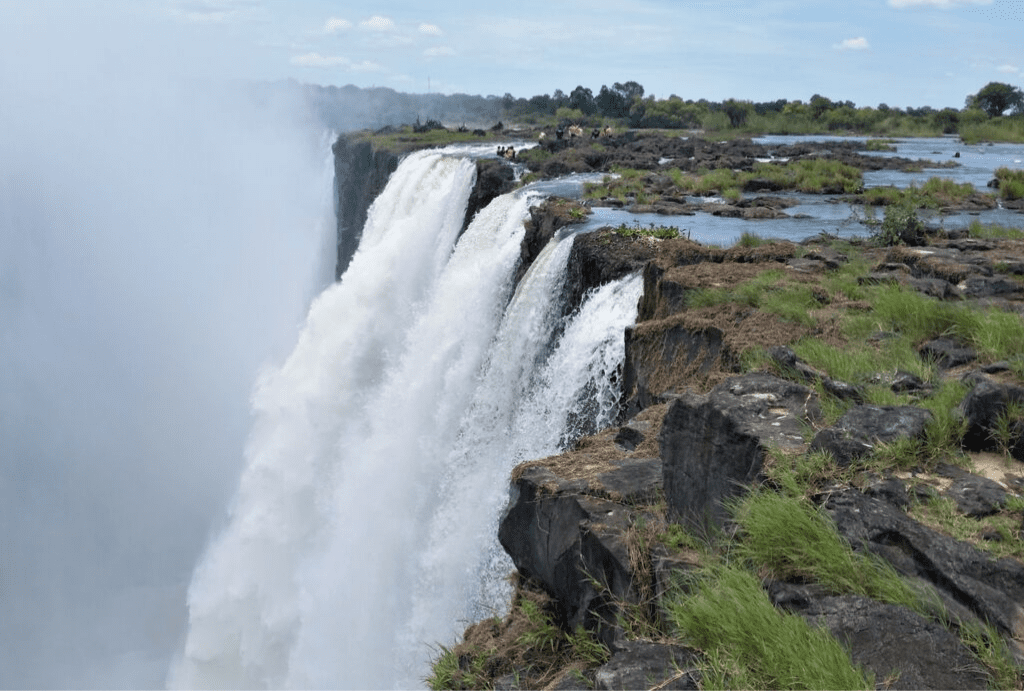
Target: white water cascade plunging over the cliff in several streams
[[364, 532]]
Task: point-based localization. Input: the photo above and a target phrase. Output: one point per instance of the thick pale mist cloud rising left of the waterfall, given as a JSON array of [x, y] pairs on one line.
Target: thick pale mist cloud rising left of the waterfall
[[160, 239]]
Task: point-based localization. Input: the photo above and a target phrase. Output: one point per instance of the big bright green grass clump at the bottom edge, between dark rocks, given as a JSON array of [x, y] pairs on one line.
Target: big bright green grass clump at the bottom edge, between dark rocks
[[750, 644]]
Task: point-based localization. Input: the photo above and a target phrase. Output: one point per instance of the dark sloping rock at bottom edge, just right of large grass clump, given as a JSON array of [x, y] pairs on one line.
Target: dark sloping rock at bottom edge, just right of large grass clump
[[904, 650]]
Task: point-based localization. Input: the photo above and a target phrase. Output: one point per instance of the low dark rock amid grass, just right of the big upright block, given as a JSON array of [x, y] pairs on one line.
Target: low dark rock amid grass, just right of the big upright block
[[862, 427]]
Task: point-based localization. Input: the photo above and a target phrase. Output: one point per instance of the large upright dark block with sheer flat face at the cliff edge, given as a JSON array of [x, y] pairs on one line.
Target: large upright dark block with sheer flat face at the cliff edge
[[713, 446]]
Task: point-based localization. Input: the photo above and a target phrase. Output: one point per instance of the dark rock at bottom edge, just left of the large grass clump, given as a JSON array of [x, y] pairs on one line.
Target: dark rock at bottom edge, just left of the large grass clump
[[639, 665]]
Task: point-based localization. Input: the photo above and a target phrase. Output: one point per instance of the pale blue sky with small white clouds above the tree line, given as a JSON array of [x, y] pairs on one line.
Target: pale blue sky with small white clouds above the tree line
[[900, 53]]
